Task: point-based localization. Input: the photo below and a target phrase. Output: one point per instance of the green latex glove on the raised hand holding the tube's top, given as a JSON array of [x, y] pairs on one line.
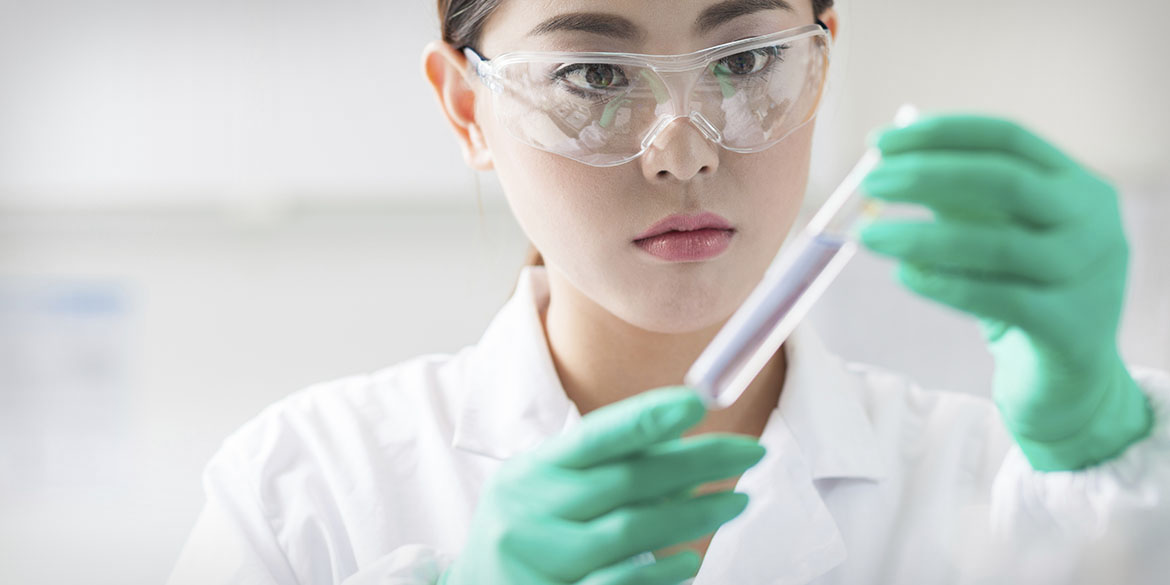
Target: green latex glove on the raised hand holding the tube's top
[[1031, 244]]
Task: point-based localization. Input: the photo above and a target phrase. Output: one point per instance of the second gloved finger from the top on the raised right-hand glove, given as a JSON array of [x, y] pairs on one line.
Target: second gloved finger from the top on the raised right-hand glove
[[987, 187]]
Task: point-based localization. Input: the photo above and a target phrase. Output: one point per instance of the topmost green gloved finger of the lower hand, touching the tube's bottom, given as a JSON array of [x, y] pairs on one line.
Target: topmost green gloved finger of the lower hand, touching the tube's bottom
[[627, 428]]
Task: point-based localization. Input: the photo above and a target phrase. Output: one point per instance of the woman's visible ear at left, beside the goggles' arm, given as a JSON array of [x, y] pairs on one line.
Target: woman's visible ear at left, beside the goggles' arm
[[446, 70]]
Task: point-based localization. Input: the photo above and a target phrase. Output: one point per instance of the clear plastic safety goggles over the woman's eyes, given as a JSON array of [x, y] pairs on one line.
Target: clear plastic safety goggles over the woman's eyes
[[605, 109]]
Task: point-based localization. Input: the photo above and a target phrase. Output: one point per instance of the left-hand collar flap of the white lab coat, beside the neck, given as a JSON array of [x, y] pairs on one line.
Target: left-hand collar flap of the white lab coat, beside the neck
[[512, 397]]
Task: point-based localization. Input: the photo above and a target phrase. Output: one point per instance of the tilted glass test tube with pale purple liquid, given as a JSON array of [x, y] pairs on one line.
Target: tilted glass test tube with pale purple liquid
[[795, 280]]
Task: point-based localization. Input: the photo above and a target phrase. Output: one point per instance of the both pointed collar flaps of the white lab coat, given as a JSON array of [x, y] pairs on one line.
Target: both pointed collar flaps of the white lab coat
[[513, 400]]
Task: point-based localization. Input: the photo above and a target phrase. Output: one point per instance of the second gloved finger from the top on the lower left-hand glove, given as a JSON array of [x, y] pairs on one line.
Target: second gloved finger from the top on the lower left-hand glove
[[662, 472]]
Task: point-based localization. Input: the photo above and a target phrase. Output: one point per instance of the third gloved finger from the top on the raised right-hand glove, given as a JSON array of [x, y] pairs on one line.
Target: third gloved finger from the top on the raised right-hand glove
[[1001, 252]]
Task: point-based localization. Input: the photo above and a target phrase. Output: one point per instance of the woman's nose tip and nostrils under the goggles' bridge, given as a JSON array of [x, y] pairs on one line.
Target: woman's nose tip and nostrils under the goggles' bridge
[[680, 152]]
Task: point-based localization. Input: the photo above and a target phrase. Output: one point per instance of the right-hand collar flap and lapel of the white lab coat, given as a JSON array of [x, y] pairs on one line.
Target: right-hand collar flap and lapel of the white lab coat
[[820, 431]]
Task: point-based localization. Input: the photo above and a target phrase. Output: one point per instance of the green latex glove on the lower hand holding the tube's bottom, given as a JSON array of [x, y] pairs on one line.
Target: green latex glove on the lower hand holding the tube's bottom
[[583, 505]]
